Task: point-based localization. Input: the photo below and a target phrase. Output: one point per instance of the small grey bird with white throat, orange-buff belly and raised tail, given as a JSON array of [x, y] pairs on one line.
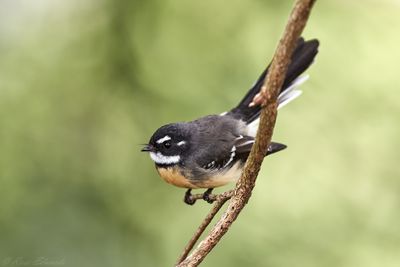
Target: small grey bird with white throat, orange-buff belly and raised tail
[[211, 151]]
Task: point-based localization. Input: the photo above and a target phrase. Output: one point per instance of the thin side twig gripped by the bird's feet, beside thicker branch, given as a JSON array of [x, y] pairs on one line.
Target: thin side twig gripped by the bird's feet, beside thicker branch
[[220, 200]]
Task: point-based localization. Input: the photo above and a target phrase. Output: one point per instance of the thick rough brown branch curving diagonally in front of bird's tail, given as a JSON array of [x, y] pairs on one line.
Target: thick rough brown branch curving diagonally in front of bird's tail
[[269, 91]]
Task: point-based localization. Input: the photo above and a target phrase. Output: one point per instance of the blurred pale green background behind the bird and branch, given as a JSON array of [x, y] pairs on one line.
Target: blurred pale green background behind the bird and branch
[[83, 83]]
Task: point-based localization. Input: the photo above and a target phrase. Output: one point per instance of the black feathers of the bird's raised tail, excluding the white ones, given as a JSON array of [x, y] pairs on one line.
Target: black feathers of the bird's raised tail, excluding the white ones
[[302, 58]]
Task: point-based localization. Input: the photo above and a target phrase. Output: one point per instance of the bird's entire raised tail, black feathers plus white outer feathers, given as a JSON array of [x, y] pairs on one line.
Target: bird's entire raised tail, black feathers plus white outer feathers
[[303, 56]]
